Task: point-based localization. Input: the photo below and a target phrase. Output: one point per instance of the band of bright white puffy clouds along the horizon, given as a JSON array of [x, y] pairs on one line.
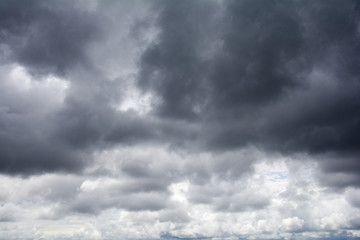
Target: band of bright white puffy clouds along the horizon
[[276, 198]]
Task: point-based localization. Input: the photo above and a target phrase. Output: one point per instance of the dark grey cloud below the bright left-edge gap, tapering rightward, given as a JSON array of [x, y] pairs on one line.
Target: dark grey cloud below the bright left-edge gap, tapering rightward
[[62, 138]]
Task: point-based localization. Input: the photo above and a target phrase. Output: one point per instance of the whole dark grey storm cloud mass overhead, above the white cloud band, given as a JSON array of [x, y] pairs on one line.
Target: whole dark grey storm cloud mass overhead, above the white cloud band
[[281, 76]]
